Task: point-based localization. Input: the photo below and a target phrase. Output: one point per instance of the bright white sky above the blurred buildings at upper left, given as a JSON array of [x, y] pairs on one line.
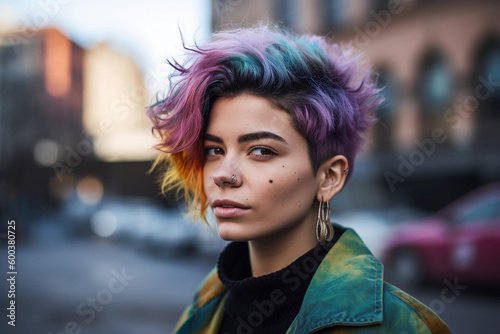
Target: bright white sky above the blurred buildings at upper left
[[146, 30]]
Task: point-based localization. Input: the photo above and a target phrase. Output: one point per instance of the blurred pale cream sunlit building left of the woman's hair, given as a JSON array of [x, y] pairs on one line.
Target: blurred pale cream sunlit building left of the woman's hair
[[114, 106]]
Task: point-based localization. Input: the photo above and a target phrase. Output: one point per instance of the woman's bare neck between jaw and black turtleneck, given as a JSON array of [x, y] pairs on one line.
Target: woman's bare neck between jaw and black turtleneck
[[278, 251]]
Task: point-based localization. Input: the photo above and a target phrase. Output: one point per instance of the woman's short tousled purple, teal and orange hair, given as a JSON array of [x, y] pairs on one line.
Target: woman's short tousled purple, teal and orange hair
[[321, 85]]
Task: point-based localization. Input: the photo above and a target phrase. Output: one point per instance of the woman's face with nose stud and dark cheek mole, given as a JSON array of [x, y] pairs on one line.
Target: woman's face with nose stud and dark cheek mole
[[275, 187]]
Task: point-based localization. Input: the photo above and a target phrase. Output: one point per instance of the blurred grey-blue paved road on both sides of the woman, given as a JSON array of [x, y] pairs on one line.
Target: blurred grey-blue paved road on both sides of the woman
[[64, 286]]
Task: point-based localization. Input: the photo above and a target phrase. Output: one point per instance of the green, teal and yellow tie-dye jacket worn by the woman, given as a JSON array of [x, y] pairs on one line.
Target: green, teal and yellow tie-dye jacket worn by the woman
[[346, 295]]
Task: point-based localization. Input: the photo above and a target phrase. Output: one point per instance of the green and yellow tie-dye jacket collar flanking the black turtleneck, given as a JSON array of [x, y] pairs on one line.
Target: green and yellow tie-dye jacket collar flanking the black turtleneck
[[345, 290]]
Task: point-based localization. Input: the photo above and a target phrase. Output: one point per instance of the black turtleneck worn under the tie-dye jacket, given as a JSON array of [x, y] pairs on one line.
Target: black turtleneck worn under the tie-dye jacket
[[269, 303]]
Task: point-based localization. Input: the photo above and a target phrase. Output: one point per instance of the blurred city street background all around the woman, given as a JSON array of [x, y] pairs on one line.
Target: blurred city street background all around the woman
[[100, 251]]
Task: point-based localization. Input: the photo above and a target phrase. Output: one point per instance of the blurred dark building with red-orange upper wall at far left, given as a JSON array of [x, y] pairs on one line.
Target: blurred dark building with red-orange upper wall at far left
[[40, 112]]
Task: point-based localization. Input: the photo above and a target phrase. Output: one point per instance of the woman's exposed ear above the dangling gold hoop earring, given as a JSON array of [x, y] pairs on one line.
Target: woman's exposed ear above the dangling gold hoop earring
[[332, 175]]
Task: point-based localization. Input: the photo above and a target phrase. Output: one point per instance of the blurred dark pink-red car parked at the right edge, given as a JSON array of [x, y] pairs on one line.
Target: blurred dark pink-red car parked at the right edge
[[460, 242]]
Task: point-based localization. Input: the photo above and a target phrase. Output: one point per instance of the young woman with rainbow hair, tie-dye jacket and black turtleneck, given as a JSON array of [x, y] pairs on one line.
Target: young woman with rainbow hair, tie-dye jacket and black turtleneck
[[262, 126]]
